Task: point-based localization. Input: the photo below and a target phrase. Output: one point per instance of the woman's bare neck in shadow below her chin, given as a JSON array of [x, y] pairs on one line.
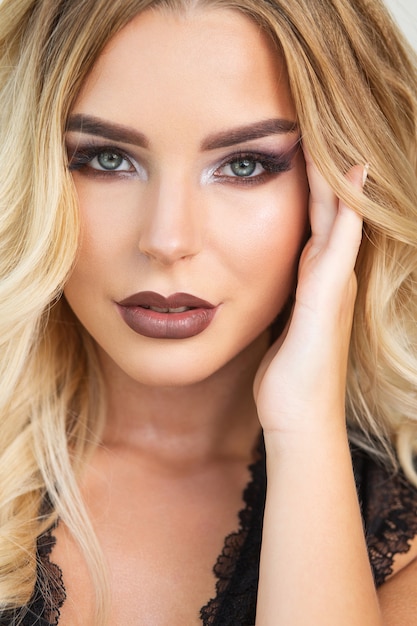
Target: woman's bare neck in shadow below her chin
[[210, 419]]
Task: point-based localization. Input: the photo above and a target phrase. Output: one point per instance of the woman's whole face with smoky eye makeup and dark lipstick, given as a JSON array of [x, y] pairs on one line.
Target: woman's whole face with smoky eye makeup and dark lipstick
[[192, 189]]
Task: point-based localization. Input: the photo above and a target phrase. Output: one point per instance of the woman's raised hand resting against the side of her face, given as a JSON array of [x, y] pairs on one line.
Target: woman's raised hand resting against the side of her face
[[303, 375]]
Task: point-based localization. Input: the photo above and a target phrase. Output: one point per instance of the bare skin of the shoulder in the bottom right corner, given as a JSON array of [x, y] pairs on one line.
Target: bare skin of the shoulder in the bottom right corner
[[398, 595]]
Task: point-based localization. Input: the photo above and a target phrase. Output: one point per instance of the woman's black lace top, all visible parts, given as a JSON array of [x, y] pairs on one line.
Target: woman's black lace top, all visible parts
[[389, 510]]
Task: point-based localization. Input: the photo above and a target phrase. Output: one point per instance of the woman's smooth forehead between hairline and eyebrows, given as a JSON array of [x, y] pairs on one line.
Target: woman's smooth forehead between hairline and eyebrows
[[190, 65]]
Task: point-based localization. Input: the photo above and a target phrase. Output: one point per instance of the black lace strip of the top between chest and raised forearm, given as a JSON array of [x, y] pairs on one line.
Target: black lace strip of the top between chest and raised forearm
[[237, 567]]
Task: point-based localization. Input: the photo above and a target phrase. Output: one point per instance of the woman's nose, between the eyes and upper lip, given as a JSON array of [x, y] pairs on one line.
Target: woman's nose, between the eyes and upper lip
[[171, 228]]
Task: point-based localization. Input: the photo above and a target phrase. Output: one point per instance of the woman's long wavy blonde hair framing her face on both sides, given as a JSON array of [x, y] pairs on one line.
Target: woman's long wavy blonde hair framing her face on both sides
[[354, 83]]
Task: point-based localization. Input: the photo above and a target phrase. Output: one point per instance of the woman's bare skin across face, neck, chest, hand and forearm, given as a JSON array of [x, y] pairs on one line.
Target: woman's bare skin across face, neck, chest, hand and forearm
[[181, 211]]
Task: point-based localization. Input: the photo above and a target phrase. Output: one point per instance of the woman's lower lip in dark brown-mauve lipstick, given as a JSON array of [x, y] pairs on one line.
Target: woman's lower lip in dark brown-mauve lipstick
[[149, 323]]
